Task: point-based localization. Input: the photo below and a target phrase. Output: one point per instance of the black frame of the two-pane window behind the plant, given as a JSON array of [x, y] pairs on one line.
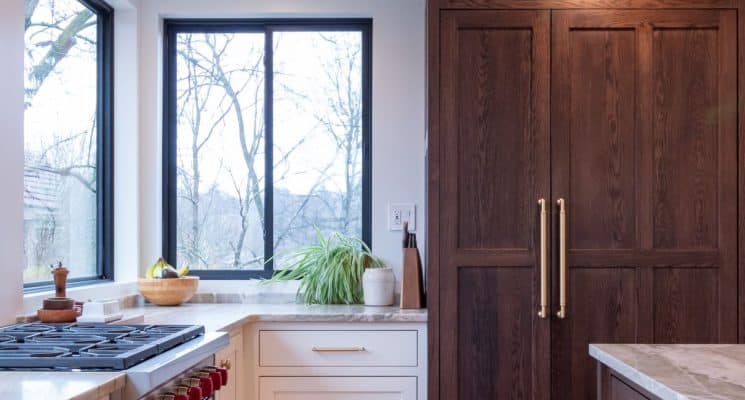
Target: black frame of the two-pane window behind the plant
[[172, 27]]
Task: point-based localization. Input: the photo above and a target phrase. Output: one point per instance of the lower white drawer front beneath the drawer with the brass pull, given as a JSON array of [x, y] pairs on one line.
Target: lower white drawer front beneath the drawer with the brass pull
[[337, 388]]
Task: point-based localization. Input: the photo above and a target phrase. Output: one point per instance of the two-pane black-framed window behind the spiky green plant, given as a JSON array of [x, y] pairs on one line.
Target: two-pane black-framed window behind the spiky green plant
[[266, 140]]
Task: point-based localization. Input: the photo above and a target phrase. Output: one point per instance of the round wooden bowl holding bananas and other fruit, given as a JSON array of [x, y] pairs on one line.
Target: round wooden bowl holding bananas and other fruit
[[166, 286]]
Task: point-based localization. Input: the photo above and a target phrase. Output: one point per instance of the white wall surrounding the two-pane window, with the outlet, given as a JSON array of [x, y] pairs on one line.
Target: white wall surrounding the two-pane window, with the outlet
[[398, 103]]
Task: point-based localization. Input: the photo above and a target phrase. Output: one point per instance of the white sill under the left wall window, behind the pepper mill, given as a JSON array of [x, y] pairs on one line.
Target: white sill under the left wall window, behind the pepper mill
[[109, 290]]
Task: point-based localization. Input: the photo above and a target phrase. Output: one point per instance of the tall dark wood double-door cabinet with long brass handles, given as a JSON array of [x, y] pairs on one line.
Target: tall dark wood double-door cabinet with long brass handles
[[631, 117]]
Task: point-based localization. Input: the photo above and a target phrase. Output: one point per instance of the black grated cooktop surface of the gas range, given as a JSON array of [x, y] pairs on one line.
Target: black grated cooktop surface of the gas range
[[74, 347]]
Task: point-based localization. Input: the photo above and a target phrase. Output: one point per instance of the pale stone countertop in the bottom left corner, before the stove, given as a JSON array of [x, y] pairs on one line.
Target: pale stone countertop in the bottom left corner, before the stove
[[20, 385]]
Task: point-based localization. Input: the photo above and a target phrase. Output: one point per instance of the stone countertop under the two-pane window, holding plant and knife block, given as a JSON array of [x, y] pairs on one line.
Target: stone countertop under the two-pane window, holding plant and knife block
[[218, 316]]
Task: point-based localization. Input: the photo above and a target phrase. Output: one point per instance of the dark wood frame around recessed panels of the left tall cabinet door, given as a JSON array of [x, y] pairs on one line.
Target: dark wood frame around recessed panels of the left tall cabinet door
[[452, 255]]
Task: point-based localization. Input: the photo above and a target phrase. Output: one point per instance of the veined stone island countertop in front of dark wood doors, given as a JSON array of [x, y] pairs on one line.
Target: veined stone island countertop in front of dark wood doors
[[679, 371]]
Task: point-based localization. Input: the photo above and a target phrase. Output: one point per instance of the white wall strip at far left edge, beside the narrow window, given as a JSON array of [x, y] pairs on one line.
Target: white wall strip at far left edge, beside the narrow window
[[11, 158]]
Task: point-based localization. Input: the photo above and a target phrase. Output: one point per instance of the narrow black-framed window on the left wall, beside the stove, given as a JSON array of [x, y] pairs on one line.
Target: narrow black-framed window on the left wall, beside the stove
[[68, 140]]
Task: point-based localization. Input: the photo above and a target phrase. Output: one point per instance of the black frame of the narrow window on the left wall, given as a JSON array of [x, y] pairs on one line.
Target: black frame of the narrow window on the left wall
[[104, 152]]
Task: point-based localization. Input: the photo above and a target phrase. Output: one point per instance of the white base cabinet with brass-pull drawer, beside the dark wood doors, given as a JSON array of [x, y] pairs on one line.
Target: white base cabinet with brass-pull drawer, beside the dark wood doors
[[336, 360]]
